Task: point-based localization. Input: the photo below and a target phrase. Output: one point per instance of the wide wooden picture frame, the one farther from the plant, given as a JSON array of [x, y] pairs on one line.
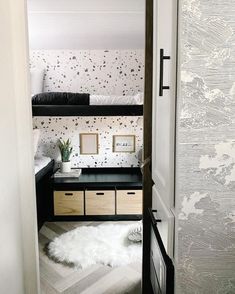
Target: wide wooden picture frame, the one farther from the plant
[[124, 143]]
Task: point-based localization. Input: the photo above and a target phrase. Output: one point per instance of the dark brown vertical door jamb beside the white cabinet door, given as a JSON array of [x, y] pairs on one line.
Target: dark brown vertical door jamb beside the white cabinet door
[[147, 175]]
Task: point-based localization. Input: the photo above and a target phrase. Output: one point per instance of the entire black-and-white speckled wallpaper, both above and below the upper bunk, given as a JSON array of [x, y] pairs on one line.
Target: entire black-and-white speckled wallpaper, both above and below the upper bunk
[[114, 72]]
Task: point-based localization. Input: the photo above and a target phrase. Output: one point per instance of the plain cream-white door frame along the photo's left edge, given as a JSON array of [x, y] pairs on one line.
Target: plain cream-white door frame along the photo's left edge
[[15, 68]]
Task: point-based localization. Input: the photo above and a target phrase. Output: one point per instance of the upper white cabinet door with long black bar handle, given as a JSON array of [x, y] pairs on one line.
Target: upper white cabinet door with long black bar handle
[[164, 91]]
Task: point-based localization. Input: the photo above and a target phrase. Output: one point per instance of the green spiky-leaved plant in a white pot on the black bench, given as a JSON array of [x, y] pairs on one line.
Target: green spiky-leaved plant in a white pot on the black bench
[[65, 150]]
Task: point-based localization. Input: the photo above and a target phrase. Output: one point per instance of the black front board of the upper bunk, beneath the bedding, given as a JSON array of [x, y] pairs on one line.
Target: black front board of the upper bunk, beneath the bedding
[[87, 110]]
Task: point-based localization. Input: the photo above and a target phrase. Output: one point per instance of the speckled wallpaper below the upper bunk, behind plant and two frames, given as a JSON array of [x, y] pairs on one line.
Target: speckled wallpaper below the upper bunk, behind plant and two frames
[[54, 128]]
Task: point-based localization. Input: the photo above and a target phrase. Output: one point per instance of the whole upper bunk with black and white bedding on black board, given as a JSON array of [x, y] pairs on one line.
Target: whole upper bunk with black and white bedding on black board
[[77, 104]]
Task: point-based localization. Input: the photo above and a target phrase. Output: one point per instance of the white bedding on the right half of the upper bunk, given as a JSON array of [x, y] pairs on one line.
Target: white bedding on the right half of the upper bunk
[[116, 100]]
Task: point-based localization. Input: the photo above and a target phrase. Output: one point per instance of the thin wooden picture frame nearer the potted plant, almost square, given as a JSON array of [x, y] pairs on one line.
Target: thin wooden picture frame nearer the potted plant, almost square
[[89, 143]]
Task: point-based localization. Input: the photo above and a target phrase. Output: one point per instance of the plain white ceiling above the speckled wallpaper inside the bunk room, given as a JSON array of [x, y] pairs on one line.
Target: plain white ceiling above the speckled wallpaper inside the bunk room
[[86, 24]]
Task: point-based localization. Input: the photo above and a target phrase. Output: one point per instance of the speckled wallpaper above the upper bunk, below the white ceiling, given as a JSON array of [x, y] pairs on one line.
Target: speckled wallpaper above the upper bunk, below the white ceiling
[[109, 72]]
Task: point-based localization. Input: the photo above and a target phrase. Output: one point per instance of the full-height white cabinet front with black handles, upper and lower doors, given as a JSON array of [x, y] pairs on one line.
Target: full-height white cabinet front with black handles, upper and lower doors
[[163, 145]]
